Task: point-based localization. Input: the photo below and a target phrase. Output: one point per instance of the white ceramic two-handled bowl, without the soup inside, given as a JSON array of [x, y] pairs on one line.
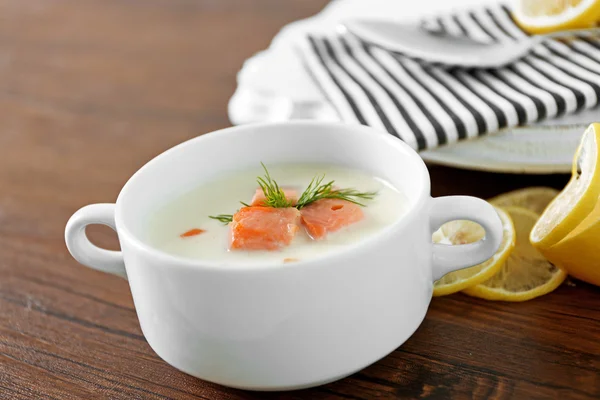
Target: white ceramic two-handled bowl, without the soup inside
[[273, 327]]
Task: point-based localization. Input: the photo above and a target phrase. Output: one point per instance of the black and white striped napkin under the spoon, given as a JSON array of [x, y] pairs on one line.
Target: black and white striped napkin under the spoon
[[428, 105]]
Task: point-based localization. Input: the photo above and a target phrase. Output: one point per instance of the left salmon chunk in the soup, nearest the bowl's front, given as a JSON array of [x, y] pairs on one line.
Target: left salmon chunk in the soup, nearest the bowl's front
[[263, 228]]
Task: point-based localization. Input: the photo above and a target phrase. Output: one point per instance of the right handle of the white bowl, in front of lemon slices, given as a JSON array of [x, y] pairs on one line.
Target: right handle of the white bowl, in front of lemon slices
[[448, 258]]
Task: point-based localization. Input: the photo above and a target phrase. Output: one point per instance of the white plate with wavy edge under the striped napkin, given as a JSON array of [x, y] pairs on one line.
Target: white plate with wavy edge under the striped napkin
[[273, 85]]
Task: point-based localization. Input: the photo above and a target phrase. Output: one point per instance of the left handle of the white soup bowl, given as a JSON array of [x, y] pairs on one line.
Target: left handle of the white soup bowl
[[85, 251]]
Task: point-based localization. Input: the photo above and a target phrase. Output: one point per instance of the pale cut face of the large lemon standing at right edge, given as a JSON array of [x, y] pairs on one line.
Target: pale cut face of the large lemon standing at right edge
[[577, 199]]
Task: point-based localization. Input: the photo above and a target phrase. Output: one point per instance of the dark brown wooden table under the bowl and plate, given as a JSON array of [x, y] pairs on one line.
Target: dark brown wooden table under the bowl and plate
[[91, 90]]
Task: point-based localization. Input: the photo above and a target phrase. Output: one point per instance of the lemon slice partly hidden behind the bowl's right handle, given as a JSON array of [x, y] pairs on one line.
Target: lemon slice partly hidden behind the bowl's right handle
[[462, 232]]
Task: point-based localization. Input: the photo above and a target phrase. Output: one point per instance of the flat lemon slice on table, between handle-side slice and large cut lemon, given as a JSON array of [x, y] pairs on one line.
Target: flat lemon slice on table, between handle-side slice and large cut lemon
[[526, 274]]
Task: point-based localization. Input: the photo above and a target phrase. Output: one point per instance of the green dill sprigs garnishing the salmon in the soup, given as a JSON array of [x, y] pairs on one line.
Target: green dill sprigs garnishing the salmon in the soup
[[316, 190]]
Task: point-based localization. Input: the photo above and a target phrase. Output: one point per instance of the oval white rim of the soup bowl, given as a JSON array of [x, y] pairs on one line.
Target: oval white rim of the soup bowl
[[362, 244]]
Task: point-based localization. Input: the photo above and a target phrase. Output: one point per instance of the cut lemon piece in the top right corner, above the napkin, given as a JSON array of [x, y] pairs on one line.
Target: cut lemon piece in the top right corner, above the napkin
[[545, 16]]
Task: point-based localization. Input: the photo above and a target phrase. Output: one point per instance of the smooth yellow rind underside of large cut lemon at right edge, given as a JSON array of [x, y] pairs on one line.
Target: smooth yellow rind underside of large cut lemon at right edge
[[578, 252]]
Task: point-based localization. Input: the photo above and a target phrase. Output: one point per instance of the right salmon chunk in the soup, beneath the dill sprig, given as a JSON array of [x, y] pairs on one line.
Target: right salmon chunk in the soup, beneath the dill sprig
[[329, 215]]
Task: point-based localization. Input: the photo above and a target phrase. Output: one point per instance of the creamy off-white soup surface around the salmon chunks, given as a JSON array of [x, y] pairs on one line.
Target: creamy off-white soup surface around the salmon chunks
[[183, 227]]
